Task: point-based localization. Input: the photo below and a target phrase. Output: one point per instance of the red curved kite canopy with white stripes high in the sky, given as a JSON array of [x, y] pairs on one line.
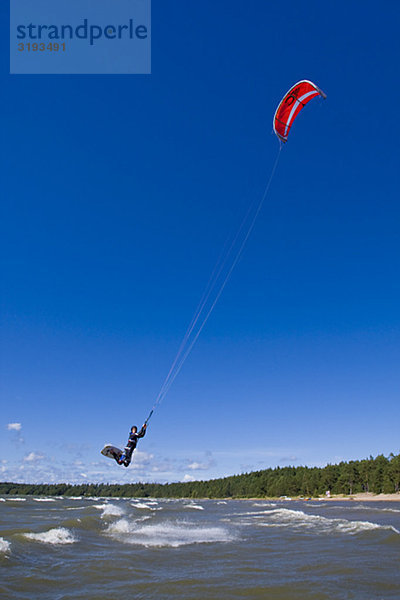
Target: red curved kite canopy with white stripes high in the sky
[[291, 104]]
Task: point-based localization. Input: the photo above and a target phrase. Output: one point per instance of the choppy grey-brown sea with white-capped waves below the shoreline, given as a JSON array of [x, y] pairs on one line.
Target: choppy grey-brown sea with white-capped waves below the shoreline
[[121, 549]]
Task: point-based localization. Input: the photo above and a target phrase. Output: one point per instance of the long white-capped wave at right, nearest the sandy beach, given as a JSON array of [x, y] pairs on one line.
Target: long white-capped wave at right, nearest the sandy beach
[[297, 519]]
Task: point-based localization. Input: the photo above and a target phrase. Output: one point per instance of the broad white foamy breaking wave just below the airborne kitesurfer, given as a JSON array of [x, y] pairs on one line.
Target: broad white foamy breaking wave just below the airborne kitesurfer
[[167, 534]]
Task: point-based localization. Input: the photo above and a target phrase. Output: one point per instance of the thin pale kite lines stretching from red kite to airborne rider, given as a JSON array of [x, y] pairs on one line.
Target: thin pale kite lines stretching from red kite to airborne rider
[[220, 276]]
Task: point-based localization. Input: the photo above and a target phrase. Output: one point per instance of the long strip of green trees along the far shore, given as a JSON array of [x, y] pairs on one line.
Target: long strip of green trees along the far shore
[[376, 475]]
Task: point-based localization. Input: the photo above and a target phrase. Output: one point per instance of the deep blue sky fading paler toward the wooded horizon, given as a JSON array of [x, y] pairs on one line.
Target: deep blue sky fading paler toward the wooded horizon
[[118, 193]]
